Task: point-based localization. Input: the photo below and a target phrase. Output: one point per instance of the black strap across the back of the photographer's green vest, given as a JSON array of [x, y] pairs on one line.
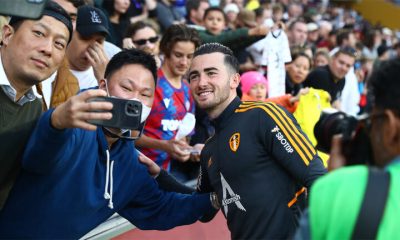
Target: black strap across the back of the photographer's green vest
[[373, 205]]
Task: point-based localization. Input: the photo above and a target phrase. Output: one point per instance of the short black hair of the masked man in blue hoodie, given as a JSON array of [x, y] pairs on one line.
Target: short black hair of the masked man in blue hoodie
[[131, 56]]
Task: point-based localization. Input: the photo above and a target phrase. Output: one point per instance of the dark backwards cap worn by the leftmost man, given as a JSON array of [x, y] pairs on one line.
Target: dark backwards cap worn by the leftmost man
[[54, 10]]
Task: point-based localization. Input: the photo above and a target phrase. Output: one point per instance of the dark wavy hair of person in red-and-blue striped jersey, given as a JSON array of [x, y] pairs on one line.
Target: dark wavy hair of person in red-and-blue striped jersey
[[178, 33]]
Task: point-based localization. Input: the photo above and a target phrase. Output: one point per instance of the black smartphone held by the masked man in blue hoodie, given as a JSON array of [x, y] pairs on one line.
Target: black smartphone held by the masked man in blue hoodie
[[126, 113]]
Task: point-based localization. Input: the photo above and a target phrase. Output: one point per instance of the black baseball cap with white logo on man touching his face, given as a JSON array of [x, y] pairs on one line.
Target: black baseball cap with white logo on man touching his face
[[91, 20]]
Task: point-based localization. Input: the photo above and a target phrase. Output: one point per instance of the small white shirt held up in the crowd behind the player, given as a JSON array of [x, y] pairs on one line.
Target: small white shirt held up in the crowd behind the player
[[276, 53]]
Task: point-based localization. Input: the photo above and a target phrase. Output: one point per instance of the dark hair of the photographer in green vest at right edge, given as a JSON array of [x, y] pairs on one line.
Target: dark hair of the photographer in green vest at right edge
[[385, 85]]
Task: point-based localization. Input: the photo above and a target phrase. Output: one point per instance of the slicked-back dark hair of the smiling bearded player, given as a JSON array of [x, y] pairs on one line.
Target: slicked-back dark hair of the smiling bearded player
[[229, 58]]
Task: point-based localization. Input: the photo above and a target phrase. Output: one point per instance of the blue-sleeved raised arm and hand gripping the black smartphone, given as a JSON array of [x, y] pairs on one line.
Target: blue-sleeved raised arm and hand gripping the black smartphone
[[58, 130]]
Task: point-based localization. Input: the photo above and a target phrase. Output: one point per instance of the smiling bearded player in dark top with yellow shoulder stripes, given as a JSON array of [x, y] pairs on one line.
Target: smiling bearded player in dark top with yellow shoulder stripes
[[259, 161]]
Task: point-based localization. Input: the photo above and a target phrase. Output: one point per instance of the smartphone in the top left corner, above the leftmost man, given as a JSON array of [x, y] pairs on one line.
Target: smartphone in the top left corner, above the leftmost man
[[31, 9]]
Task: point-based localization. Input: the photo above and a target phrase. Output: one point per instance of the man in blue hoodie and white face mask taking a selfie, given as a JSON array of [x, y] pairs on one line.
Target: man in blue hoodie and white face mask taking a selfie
[[76, 175]]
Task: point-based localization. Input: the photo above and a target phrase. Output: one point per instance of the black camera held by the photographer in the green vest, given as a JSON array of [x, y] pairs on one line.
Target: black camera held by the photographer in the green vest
[[356, 143]]
